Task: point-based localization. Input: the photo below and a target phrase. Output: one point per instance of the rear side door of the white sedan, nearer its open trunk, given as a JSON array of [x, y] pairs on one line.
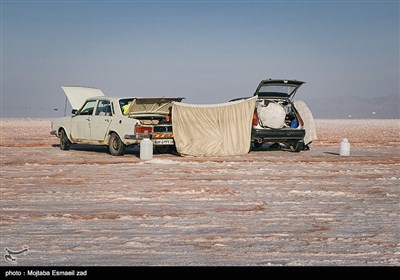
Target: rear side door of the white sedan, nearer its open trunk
[[101, 120]]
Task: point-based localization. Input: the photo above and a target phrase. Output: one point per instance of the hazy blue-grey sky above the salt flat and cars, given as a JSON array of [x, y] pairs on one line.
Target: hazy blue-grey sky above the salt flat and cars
[[206, 51]]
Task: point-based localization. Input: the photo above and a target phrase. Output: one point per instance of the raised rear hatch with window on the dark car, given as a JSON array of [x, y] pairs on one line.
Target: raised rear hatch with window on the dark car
[[278, 88]]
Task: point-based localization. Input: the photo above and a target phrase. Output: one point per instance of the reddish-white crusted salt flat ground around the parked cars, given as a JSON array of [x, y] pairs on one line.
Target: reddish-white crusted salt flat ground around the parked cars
[[269, 207]]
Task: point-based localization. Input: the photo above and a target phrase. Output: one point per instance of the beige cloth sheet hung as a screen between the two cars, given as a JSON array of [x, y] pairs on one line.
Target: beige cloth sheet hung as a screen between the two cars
[[213, 130]]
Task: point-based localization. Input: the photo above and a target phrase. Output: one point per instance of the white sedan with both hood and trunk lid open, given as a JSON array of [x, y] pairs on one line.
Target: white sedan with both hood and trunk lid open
[[115, 122]]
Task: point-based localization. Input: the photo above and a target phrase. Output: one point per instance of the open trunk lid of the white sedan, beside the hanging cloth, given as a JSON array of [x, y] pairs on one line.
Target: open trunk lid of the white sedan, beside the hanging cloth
[[153, 105]]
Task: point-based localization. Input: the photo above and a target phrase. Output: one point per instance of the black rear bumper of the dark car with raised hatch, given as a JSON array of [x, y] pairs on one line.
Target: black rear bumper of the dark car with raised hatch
[[277, 135]]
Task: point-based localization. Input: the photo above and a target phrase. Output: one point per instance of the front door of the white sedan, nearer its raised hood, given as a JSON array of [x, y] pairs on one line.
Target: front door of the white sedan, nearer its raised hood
[[80, 123]]
